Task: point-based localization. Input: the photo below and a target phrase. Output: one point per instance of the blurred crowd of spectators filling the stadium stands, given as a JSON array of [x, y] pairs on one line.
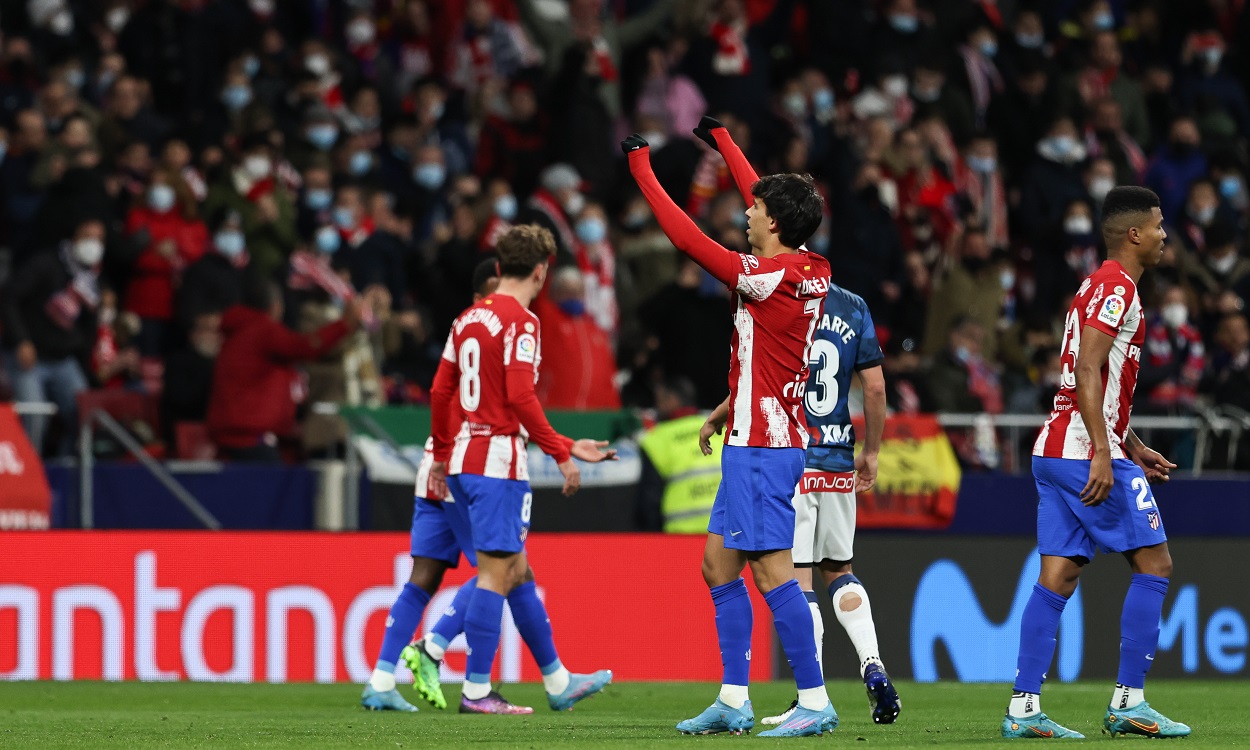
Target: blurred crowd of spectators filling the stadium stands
[[163, 162]]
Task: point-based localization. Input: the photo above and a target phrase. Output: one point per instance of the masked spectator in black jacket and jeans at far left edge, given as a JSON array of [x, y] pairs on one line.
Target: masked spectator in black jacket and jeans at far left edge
[[51, 326]]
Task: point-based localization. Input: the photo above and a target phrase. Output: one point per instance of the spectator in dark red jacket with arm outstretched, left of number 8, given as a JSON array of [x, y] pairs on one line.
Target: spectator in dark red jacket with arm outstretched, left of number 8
[[256, 386]]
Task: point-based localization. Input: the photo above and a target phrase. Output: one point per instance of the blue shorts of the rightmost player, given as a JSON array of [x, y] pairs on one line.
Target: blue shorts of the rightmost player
[[1127, 521]]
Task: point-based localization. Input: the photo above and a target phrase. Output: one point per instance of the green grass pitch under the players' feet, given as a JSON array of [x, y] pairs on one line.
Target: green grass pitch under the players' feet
[[131, 716]]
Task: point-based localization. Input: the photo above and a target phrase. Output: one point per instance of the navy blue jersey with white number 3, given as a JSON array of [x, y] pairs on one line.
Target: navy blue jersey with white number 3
[[844, 342]]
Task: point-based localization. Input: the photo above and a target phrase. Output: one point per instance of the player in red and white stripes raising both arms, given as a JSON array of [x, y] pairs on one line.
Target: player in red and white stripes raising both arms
[[779, 293]]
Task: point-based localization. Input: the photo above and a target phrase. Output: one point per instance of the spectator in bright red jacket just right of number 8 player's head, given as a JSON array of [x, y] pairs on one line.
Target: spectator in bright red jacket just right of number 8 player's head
[[579, 367]]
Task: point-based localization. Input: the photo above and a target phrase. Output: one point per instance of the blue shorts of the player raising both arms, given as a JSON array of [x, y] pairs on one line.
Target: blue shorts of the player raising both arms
[[754, 508]]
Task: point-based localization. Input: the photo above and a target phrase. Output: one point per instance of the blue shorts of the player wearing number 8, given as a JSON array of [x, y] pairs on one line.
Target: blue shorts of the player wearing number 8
[[499, 511]]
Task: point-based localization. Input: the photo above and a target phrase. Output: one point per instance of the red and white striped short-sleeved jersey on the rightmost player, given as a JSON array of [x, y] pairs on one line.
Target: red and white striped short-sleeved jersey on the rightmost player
[[1108, 302]]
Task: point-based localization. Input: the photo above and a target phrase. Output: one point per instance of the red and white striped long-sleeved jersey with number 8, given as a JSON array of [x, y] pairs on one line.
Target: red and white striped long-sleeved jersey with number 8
[[487, 378]]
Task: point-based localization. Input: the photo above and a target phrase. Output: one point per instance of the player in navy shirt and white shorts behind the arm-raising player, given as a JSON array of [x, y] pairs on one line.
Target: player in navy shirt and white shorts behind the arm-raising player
[[846, 344]]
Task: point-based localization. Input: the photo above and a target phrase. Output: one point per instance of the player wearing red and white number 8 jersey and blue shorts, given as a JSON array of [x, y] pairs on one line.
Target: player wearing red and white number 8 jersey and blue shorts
[[483, 411]]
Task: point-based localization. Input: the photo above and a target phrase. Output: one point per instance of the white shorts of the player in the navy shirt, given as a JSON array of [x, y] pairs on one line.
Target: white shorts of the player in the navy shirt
[[824, 524]]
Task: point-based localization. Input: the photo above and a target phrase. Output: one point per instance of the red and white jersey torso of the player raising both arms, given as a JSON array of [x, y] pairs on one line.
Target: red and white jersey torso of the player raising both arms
[[779, 302]]
